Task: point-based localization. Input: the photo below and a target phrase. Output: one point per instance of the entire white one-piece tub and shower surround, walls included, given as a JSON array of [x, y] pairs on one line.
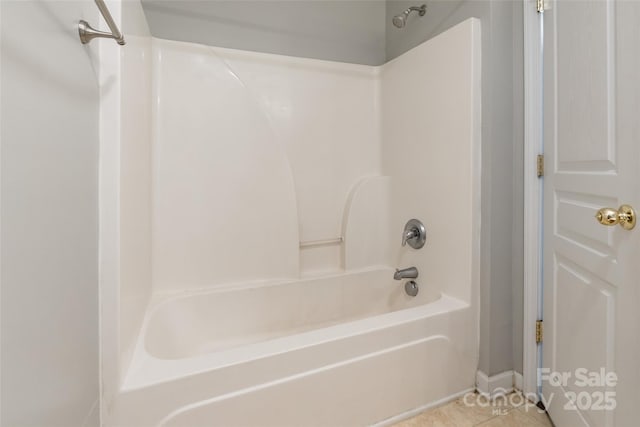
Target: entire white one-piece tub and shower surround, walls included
[[278, 189]]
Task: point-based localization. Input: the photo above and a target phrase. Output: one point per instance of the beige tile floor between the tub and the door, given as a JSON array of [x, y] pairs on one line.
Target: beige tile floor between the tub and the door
[[508, 411]]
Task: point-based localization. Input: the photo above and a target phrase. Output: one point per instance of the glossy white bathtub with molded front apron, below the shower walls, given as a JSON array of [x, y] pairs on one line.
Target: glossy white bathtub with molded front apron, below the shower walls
[[351, 349]]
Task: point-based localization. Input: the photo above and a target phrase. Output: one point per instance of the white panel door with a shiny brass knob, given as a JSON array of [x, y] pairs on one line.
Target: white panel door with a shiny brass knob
[[592, 153]]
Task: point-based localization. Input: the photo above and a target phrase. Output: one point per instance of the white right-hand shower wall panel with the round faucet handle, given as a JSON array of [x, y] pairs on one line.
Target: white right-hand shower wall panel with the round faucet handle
[[431, 129]]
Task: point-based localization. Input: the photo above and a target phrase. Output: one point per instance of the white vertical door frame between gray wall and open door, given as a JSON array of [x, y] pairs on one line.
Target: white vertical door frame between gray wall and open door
[[533, 191]]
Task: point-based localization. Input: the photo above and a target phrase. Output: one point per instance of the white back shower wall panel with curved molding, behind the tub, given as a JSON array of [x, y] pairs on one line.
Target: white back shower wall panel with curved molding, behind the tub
[[252, 154]]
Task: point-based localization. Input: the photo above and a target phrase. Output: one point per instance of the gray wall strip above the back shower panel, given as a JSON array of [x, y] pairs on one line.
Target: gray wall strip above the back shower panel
[[337, 30]]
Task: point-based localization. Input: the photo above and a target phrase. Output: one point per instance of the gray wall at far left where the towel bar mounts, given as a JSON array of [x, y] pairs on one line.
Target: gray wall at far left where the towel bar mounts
[[49, 216]]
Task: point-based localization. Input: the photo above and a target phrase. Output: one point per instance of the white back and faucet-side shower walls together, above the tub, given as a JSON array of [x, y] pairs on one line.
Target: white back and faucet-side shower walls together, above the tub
[[254, 153]]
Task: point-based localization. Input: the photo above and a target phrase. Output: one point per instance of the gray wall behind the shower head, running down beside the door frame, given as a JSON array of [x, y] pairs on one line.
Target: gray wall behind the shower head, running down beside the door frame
[[502, 150]]
